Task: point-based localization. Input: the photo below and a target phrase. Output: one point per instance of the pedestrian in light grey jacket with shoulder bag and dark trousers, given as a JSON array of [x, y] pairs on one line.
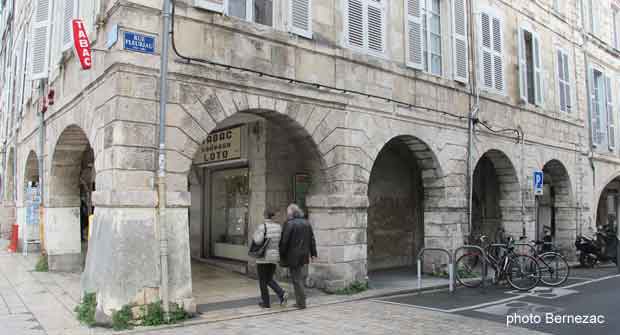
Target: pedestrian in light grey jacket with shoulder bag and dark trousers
[[269, 232]]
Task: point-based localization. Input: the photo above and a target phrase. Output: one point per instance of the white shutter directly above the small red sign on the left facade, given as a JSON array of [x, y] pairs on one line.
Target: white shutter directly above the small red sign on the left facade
[[40, 39]]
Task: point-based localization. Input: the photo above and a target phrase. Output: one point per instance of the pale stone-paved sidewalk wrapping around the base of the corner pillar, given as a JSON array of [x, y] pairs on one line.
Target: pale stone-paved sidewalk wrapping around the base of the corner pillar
[[42, 303]]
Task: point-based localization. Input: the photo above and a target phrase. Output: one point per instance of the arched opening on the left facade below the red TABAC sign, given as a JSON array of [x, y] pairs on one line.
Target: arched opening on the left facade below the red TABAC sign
[[70, 183]]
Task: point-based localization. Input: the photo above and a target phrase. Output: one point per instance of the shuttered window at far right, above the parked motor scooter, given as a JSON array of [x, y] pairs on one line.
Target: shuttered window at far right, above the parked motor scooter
[[602, 111]]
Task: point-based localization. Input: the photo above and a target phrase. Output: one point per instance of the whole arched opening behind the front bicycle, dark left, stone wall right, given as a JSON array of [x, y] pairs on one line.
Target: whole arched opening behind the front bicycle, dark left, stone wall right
[[496, 199]]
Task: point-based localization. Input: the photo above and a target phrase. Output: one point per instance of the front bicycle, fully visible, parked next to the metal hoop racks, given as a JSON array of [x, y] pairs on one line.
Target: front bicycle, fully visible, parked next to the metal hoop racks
[[521, 271]]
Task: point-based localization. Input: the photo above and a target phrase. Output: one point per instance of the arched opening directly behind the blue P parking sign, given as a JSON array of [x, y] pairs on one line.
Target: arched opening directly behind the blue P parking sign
[[558, 198]]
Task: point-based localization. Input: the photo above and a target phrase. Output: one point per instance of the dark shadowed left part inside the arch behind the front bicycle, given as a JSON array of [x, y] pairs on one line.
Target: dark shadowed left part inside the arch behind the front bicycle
[[486, 211]]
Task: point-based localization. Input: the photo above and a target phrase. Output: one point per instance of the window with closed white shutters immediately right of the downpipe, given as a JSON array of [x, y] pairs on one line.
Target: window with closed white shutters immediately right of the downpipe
[[492, 48]]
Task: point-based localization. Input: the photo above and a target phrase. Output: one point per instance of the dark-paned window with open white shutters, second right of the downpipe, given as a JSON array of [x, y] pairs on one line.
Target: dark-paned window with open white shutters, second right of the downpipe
[[530, 69]]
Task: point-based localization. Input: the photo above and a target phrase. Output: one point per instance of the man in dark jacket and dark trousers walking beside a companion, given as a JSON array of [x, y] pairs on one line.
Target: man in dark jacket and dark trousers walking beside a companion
[[297, 245]]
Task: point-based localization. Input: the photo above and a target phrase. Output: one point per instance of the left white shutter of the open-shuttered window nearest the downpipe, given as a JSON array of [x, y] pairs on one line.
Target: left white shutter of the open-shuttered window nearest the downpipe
[[414, 34]]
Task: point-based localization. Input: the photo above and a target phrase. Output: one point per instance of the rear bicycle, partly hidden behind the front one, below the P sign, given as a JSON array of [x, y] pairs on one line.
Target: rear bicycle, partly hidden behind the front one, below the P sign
[[554, 269]]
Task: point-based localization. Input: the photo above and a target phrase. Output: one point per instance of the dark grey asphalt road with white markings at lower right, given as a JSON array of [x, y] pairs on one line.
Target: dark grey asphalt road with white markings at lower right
[[591, 295]]
